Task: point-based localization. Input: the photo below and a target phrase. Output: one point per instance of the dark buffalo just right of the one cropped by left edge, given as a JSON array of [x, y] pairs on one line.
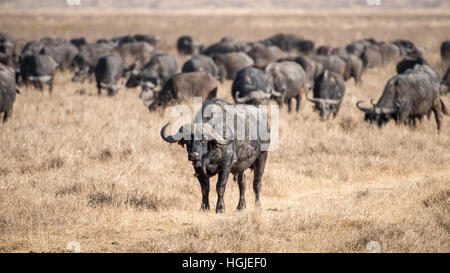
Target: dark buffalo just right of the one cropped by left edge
[[38, 70]]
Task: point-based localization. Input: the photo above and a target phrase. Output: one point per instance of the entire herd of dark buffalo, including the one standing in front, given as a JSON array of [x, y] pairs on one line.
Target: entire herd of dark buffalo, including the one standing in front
[[283, 68]]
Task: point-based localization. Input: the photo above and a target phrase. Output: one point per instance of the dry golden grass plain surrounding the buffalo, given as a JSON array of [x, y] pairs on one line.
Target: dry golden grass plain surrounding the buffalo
[[93, 169]]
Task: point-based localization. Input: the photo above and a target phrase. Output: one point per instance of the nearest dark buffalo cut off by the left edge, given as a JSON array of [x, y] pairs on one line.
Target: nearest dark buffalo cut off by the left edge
[[8, 90]]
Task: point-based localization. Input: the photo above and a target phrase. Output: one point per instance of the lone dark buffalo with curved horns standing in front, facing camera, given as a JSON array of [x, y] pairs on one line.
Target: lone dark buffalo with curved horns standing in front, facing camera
[[223, 152]]
